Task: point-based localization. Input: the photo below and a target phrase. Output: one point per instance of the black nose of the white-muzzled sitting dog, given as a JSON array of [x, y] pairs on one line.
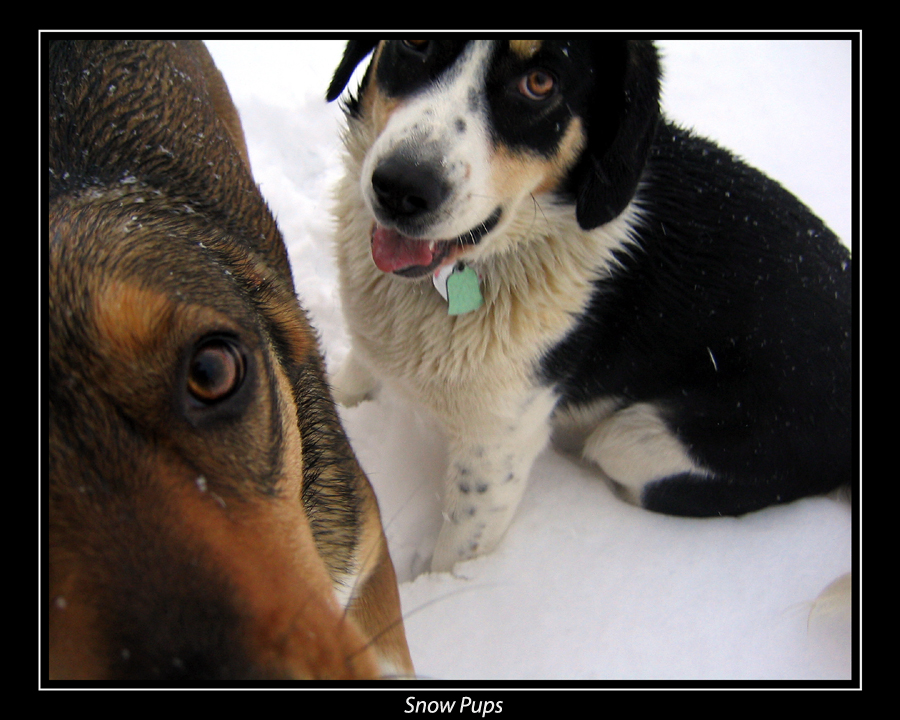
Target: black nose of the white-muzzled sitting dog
[[406, 189]]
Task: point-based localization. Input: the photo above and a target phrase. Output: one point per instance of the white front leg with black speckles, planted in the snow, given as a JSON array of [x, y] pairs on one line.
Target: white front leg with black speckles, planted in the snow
[[487, 473]]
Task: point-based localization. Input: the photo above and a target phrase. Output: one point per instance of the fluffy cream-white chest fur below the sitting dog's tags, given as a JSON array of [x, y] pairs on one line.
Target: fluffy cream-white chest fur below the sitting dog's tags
[[475, 364]]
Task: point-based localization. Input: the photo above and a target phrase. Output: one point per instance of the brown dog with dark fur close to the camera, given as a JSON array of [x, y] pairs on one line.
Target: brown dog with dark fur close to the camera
[[207, 517]]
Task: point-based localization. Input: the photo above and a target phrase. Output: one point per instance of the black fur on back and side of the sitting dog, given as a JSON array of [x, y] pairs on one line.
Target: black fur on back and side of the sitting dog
[[732, 312]]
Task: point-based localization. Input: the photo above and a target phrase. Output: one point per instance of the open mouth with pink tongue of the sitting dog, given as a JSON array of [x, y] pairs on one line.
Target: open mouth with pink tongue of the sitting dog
[[413, 257]]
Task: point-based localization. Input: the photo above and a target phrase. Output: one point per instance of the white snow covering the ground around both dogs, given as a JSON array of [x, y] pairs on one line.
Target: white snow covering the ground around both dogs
[[585, 587]]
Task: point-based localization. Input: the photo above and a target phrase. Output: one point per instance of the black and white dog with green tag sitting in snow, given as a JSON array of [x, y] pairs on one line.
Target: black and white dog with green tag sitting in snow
[[527, 247]]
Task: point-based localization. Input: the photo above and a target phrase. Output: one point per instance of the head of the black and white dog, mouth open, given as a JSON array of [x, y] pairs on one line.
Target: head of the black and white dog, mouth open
[[462, 134]]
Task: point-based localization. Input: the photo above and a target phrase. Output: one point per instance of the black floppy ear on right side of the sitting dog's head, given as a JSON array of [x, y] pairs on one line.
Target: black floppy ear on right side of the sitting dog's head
[[621, 124]]
